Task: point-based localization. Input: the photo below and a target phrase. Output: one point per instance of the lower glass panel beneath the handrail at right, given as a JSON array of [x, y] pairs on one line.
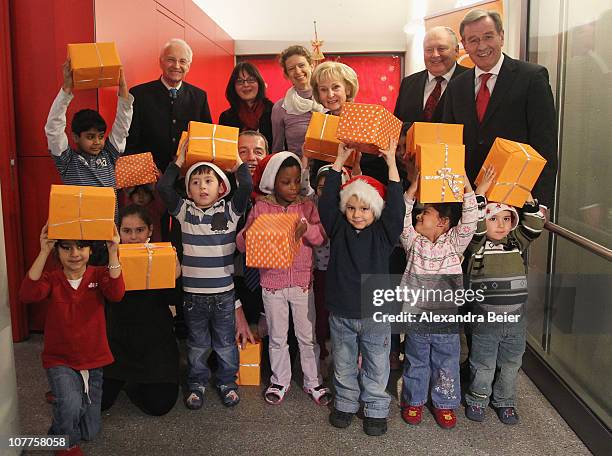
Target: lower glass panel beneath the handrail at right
[[581, 329]]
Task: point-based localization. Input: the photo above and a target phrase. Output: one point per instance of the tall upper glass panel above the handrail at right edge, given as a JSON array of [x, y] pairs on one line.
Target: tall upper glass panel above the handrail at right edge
[[585, 204]]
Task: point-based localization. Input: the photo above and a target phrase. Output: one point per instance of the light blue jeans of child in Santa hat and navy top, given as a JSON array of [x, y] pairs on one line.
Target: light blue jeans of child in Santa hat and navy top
[[349, 338]]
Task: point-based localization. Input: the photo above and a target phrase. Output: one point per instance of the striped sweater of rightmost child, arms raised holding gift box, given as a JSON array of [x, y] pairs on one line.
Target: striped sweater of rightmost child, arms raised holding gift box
[[497, 267]]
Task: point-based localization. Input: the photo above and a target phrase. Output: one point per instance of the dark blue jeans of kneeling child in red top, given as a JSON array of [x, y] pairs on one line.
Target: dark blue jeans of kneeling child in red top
[[75, 413]]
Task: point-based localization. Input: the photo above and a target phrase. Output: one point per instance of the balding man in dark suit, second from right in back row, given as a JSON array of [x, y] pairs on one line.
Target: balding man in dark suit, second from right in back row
[[421, 95]]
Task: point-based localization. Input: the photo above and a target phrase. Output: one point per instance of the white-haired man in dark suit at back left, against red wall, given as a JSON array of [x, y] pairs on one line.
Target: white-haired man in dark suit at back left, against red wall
[[164, 107]]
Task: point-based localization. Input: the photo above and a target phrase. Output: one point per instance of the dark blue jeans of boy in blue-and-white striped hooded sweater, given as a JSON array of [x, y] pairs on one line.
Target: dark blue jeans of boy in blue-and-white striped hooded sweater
[[211, 323]]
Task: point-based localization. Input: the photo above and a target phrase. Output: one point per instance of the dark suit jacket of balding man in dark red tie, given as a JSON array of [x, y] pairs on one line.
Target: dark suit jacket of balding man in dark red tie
[[409, 104]]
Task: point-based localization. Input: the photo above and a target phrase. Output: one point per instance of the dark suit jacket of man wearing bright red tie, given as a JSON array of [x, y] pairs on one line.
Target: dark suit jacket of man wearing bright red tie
[[521, 109]]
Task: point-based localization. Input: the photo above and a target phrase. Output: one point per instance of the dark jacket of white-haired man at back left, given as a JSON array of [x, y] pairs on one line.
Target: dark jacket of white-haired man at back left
[[158, 120]]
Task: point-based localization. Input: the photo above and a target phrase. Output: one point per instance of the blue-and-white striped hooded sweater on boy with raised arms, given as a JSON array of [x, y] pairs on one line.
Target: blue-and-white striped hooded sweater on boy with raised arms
[[209, 235]]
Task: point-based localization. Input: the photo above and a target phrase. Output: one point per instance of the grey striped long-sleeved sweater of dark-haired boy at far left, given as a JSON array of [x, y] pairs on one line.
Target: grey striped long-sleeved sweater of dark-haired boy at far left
[[80, 168]]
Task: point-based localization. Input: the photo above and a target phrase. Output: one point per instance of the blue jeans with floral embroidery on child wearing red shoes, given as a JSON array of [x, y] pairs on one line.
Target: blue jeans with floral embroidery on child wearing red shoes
[[432, 359]]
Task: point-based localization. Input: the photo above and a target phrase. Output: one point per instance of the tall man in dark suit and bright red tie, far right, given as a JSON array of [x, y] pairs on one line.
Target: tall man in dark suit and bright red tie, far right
[[501, 97]]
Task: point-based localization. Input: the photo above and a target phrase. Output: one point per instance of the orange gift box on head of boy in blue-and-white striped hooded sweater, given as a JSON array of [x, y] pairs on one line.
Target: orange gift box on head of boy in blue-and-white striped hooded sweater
[[212, 143]]
